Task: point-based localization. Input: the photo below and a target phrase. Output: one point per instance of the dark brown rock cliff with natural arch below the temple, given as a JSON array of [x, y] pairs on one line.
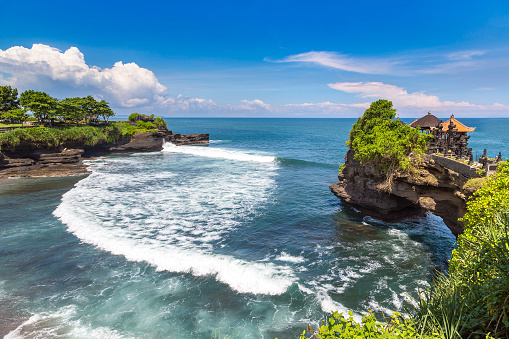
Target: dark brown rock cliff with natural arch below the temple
[[433, 188]]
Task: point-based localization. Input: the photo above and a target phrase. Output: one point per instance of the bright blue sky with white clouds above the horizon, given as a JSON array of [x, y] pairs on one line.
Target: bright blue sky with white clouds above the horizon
[[263, 58]]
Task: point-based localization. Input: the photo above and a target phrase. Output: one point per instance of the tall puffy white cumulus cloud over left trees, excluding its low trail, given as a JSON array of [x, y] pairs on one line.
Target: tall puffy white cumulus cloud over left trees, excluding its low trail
[[126, 84]]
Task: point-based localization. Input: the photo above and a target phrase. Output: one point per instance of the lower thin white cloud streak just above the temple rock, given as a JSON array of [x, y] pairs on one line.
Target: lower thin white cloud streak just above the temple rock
[[401, 98]]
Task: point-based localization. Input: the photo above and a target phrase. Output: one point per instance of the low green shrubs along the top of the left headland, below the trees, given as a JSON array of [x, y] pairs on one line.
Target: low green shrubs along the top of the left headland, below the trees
[[43, 137]]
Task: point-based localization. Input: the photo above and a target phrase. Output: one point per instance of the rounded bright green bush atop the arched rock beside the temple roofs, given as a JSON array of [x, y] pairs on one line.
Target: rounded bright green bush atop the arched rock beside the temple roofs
[[389, 145]]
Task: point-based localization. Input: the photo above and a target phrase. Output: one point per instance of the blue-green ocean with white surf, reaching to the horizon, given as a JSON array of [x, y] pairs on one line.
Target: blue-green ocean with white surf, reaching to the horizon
[[240, 238]]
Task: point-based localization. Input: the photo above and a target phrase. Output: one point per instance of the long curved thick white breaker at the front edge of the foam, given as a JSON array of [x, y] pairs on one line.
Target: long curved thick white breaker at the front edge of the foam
[[240, 275]]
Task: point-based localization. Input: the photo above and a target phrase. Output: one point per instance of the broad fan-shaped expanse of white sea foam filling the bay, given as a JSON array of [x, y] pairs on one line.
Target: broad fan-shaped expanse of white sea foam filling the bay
[[176, 222]]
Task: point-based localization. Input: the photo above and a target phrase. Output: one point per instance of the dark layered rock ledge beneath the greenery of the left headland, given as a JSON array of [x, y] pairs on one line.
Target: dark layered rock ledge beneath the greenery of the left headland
[[29, 161]]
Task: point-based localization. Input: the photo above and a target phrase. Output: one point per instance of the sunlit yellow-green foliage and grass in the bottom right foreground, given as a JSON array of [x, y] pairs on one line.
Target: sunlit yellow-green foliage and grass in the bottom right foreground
[[473, 300]]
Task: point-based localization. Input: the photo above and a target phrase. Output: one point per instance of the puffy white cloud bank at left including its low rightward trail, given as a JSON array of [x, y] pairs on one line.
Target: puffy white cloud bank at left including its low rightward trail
[[125, 84]]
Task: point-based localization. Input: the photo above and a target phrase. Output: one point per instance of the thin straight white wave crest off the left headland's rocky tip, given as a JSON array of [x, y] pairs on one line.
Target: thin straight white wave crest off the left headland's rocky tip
[[219, 153]]
